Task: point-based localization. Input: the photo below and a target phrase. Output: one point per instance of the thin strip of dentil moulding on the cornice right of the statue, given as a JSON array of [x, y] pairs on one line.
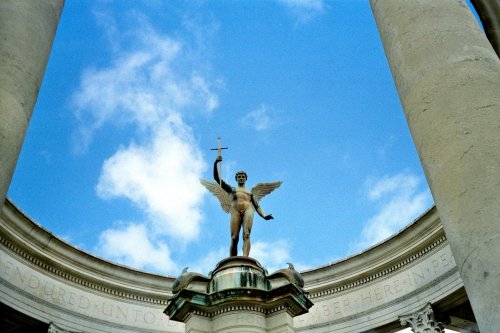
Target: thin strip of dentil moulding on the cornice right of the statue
[[380, 274]]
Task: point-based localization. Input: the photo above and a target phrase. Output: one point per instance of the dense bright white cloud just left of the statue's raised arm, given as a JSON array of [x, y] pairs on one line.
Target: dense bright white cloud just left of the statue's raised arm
[[162, 178]]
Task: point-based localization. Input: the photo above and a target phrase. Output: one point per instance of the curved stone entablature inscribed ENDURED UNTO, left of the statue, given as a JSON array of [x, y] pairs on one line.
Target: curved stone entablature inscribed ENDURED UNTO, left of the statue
[[50, 280]]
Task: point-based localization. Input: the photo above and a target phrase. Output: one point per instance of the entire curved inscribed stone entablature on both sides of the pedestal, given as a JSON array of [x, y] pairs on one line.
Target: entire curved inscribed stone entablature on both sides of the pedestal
[[52, 281]]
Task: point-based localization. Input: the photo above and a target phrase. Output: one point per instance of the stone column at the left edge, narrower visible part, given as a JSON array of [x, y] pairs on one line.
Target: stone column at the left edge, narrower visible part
[[27, 29]]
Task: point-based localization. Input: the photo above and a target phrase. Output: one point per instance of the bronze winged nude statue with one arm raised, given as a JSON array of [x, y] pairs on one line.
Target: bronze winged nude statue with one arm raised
[[240, 203]]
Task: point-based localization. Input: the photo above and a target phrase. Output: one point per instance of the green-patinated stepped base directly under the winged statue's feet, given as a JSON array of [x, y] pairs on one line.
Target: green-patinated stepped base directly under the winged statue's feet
[[238, 284]]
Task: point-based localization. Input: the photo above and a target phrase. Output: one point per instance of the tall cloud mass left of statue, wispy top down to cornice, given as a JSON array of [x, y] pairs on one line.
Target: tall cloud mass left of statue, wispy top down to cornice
[[148, 86]]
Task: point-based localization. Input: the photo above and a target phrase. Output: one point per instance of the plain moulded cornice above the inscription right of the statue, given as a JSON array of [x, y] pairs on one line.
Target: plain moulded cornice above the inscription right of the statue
[[401, 251]]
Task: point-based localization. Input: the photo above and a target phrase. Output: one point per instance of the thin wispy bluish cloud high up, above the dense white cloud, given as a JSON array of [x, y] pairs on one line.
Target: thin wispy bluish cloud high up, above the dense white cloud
[[141, 87]]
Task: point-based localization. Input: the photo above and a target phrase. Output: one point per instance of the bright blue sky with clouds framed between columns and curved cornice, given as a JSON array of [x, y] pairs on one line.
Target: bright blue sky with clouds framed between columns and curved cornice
[[136, 93]]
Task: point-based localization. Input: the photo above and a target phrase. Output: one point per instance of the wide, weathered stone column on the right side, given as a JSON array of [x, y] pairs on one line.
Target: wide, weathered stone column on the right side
[[448, 79]]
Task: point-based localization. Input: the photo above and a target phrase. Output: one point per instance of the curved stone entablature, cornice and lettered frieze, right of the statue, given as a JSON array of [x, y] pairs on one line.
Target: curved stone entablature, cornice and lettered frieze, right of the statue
[[373, 288]]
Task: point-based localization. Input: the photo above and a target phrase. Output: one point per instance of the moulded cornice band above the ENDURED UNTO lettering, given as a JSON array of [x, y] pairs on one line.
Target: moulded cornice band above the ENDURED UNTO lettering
[[26, 240]]
